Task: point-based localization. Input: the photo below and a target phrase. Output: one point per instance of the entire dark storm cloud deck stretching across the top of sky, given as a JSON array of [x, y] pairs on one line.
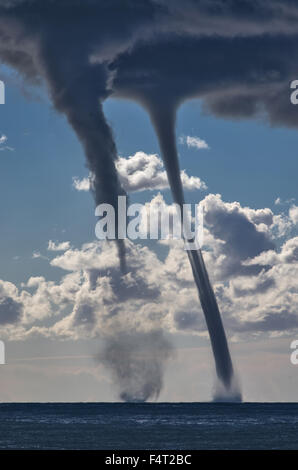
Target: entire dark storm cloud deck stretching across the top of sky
[[239, 56]]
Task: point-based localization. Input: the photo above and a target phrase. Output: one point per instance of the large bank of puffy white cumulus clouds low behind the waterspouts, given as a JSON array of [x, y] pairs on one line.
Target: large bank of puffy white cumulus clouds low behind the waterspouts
[[254, 278]]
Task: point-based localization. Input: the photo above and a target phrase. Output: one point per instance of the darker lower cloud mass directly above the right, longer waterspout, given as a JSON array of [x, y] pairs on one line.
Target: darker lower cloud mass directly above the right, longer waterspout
[[235, 77]]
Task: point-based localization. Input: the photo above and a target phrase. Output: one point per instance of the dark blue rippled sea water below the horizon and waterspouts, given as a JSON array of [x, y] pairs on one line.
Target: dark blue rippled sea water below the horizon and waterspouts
[[149, 426]]
